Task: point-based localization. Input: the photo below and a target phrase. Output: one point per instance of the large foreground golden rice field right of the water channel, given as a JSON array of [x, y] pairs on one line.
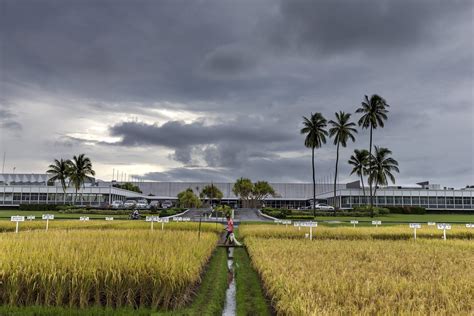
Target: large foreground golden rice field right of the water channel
[[370, 277]]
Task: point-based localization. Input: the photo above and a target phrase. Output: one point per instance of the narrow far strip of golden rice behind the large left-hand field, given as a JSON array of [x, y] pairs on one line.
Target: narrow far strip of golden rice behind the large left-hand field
[[7, 226]]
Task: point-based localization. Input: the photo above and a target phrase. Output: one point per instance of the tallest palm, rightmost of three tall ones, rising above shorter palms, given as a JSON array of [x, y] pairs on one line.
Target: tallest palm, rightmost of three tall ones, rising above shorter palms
[[374, 113]]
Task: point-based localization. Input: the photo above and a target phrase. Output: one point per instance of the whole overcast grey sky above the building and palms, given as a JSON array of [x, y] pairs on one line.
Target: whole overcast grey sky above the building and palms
[[214, 90]]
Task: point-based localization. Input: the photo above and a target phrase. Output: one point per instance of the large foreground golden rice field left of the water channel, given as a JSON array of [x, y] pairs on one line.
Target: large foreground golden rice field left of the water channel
[[113, 268]]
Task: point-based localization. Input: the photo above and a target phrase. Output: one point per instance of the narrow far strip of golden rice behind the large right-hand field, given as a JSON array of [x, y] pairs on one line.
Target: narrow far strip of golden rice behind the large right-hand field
[[400, 232]]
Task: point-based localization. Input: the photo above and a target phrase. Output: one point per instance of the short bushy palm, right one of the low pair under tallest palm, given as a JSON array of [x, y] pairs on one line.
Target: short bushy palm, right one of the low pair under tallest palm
[[382, 167]]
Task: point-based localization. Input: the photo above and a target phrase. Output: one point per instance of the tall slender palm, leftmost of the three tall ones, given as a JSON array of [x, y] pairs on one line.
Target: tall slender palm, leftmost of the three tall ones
[[314, 128]]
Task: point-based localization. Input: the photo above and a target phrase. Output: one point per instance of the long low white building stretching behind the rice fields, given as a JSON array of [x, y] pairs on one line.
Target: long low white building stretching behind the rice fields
[[16, 189]]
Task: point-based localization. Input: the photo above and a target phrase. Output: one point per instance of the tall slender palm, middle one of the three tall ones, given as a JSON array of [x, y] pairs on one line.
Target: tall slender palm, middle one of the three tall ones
[[342, 130]]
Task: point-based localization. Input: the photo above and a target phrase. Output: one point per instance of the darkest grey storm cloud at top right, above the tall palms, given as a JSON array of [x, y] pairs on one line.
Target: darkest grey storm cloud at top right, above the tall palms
[[372, 27]]
